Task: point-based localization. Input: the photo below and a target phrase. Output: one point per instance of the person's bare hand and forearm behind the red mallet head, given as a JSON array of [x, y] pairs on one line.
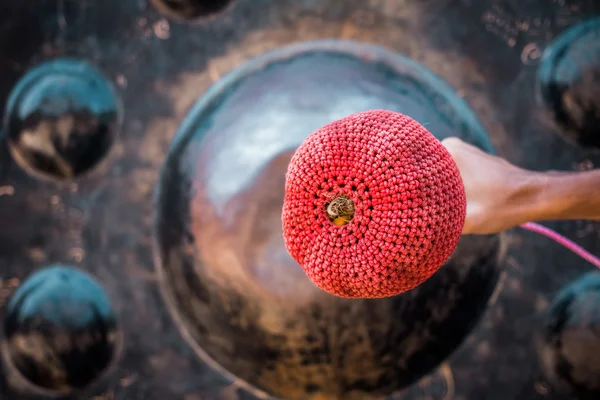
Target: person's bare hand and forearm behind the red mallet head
[[501, 195]]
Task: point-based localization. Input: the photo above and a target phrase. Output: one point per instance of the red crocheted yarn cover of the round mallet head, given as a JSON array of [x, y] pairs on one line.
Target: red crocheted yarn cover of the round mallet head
[[409, 202]]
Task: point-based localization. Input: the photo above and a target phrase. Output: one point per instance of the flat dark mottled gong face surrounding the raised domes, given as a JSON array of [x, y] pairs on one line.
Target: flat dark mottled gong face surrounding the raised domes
[[102, 222]]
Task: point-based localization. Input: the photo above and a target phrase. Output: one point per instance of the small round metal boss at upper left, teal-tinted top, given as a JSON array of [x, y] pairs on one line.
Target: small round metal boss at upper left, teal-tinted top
[[61, 119]]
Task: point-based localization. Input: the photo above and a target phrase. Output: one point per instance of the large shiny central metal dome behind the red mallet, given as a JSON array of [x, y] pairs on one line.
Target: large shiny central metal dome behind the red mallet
[[242, 299]]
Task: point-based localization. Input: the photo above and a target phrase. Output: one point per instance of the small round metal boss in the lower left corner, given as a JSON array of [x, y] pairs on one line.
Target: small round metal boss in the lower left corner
[[60, 332]]
